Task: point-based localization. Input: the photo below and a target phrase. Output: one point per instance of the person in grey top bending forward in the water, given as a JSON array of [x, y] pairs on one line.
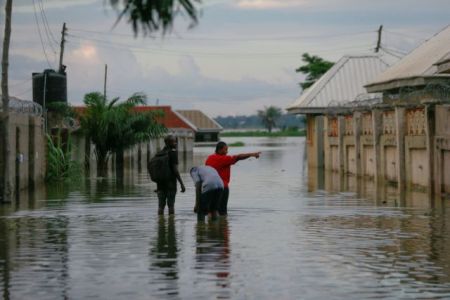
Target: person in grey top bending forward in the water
[[208, 190]]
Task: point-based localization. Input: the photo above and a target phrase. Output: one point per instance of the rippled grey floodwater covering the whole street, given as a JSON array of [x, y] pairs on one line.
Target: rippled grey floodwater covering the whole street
[[289, 235]]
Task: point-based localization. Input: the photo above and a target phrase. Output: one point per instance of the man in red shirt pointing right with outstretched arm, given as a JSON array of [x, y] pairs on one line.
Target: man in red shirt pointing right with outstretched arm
[[222, 163]]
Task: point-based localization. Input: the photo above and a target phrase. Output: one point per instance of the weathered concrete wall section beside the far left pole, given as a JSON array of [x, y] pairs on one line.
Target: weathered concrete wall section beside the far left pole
[[27, 152]]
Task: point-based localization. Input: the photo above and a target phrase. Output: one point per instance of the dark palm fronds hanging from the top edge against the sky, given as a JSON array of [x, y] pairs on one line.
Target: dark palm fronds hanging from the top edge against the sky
[[154, 15]]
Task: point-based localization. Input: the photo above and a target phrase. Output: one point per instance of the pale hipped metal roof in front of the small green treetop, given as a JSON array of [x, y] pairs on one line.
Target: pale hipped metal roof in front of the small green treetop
[[342, 83]]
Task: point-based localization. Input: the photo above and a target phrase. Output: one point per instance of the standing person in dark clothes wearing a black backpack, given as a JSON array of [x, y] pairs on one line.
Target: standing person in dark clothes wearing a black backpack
[[163, 169]]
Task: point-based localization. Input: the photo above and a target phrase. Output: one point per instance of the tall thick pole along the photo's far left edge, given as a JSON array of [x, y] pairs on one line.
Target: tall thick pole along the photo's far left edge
[[5, 184]]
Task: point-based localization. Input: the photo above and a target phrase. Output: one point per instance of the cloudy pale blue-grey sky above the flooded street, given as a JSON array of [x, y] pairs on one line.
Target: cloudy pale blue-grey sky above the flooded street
[[239, 58]]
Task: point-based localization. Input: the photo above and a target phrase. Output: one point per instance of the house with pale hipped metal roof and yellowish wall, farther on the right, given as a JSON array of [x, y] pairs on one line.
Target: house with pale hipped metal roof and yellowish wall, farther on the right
[[340, 87]]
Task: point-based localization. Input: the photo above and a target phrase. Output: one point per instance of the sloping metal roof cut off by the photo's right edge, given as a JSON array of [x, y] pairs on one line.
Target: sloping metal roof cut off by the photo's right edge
[[419, 62]]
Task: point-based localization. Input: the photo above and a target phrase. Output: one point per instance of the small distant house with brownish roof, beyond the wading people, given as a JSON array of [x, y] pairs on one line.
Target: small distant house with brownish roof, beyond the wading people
[[206, 129]]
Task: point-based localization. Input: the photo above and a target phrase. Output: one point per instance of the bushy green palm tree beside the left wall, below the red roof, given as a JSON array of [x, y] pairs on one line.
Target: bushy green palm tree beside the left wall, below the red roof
[[113, 126]]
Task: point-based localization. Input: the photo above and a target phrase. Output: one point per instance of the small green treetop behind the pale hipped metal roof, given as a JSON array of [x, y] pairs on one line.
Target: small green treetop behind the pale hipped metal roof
[[314, 67]]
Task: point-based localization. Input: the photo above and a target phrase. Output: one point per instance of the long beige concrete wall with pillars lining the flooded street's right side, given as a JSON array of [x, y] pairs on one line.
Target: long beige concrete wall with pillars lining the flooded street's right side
[[407, 145]]
